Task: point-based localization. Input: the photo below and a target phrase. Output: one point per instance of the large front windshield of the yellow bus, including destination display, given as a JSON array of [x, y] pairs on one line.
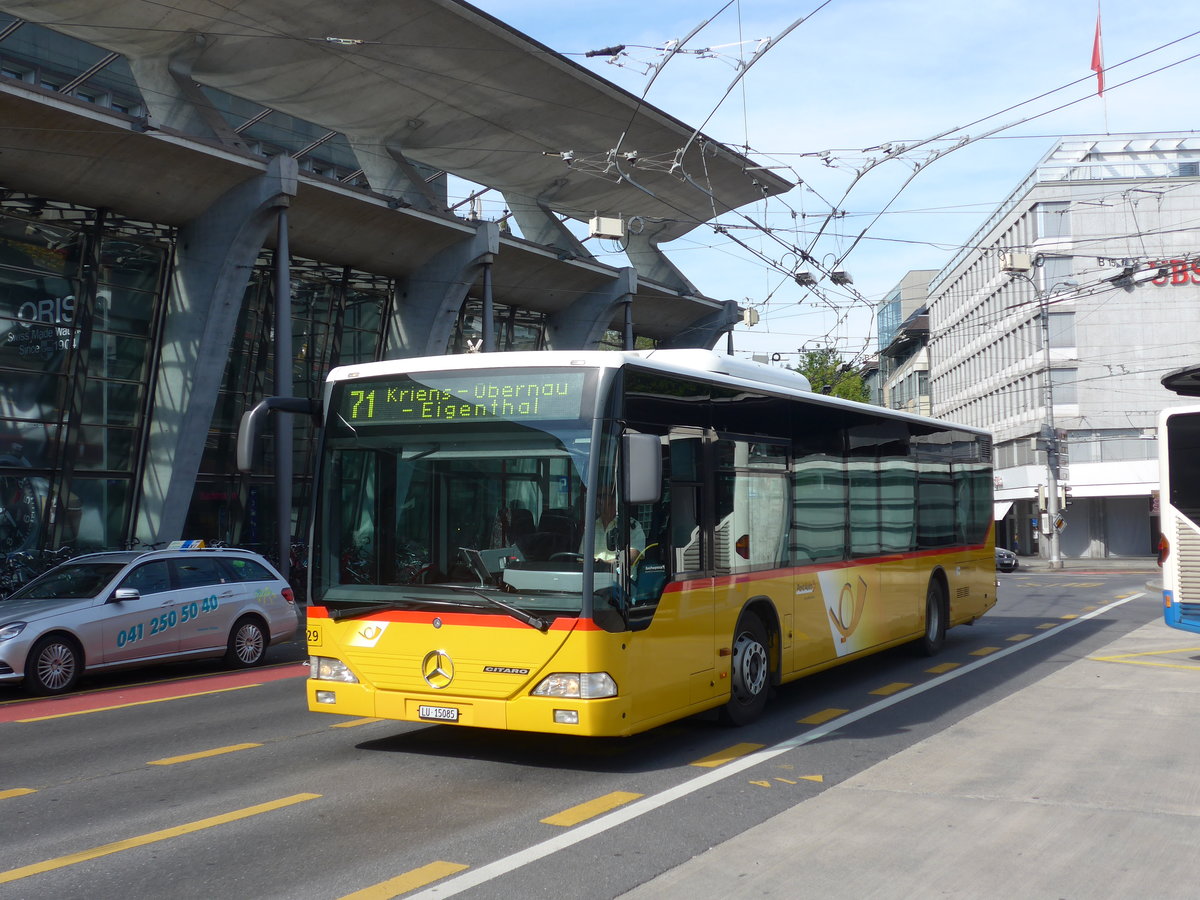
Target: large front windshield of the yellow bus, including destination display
[[460, 488]]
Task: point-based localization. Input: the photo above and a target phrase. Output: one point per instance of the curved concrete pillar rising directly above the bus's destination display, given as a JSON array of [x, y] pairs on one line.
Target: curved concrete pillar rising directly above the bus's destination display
[[428, 303]]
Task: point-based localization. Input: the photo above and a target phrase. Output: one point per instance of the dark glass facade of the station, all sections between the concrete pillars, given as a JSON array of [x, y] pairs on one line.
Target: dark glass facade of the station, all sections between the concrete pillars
[[83, 299]]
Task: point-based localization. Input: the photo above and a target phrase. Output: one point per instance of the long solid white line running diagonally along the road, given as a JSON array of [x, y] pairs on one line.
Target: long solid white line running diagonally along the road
[[475, 878]]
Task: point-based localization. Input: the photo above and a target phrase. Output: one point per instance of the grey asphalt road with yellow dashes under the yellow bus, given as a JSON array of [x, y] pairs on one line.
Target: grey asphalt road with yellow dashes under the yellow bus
[[182, 783]]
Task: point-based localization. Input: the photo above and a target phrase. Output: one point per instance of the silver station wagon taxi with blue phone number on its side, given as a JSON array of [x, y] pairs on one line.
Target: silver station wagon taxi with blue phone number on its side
[[107, 611]]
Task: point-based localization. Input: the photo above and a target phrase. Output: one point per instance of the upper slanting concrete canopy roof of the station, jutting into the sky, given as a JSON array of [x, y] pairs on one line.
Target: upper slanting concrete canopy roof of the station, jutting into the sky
[[445, 85]]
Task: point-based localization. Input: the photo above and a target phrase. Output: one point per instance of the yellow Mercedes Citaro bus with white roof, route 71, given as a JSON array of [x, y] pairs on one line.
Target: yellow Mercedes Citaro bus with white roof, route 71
[[601, 543]]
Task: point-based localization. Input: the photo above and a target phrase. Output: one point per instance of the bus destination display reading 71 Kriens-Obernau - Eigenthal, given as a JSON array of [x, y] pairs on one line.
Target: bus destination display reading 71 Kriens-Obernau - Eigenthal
[[470, 397]]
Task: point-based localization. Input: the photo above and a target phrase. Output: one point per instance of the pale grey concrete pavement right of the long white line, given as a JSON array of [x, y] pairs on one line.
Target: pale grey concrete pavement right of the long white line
[[1082, 785]]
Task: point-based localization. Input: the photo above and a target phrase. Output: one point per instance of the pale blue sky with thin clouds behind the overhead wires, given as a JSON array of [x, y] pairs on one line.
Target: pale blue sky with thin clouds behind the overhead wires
[[860, 74]]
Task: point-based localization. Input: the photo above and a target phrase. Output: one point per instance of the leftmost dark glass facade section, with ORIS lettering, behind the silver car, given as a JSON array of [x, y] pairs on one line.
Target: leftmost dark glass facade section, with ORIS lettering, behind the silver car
[[77, 316]]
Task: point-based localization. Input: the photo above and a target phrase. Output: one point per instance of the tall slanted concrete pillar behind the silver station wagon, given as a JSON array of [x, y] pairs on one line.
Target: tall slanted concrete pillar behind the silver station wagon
[[214, 259]]
